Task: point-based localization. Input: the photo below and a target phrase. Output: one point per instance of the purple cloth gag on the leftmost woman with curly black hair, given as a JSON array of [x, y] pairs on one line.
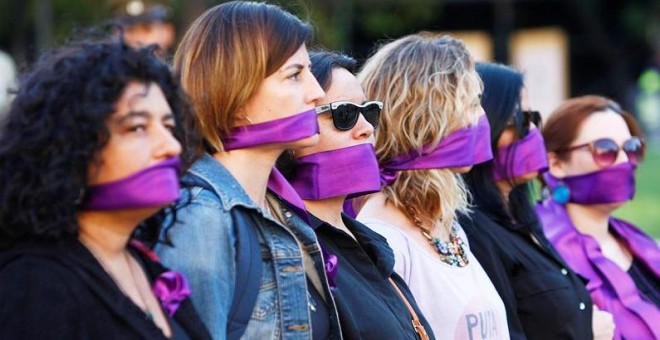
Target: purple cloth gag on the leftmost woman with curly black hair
[[153, 186]]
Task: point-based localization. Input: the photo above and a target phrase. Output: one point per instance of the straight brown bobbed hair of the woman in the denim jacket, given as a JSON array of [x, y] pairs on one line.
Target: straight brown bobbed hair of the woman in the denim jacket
[[227, 53]]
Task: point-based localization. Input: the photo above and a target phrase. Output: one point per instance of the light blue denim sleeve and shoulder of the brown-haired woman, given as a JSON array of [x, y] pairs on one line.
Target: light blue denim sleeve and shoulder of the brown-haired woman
[[204, 251]]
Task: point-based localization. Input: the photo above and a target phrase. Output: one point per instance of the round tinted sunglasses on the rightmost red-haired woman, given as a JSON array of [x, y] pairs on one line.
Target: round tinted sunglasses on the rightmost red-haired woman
[[605, 150]]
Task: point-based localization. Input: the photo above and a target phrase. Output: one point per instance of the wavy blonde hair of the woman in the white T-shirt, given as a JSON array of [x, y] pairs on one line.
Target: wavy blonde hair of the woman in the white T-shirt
[[430, 88]]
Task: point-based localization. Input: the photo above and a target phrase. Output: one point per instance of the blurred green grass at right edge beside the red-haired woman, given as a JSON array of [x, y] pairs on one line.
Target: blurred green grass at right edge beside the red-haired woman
[[644, 210]]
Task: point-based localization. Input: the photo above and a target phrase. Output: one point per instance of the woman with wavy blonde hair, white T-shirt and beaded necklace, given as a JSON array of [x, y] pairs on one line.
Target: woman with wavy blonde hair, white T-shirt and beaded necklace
[[432, 126]]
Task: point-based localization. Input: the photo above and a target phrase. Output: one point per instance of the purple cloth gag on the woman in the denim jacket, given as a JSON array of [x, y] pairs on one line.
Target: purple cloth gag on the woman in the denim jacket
[[281, 130]]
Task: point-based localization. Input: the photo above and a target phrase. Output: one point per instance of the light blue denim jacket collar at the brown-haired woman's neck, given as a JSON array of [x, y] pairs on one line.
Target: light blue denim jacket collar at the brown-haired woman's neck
[[215, 174]]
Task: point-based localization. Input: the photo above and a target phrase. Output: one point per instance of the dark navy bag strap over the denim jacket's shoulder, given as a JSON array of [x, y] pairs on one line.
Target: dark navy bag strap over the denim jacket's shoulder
[[248, 265]]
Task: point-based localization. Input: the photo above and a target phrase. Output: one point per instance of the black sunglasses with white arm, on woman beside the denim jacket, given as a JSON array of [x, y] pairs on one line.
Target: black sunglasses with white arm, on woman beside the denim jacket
[[345, 114]]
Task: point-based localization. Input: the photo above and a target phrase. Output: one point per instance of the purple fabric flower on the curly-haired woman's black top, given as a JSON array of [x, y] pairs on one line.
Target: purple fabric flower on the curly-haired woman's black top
[[171, 288]]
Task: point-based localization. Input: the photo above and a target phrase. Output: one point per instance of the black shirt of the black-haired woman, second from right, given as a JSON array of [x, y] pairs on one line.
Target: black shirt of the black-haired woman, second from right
[[544, 299]]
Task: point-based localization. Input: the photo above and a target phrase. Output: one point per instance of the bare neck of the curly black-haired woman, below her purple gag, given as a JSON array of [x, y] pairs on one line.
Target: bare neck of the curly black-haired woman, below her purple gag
[[108, 232]]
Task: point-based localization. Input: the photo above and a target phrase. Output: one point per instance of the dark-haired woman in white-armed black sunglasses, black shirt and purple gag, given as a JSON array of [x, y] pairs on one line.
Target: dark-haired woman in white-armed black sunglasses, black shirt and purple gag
[[372, 300]]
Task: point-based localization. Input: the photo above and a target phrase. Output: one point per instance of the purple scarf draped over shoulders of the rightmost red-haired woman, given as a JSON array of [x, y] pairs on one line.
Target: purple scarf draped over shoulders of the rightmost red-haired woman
[[611, 288]]
